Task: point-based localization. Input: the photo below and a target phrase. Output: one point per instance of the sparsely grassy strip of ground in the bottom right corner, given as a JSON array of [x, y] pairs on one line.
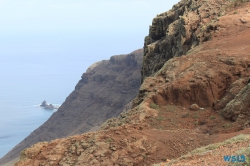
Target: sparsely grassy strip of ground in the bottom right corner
[[213, 156]]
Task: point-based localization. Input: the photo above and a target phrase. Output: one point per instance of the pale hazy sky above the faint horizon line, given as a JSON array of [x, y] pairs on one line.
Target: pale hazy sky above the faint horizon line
[[50, 16]]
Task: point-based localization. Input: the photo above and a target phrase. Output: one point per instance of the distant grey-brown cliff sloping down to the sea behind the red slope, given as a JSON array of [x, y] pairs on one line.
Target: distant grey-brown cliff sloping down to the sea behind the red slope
[[103, 92]]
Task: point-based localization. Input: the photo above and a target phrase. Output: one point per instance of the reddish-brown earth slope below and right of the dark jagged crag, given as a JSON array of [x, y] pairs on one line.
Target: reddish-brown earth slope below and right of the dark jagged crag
[[161, 126]]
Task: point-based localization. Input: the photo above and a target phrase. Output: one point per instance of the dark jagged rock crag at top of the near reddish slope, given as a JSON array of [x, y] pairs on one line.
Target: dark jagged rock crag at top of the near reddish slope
[[182, 28]]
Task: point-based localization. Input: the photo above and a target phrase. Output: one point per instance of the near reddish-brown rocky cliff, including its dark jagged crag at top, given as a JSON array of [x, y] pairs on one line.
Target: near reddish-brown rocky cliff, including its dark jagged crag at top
[[194, 92]]
